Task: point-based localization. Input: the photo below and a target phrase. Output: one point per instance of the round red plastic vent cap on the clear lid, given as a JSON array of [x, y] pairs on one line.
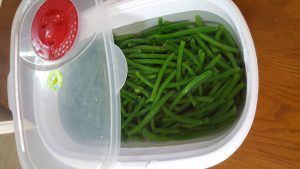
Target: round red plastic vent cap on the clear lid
[[54, 28]]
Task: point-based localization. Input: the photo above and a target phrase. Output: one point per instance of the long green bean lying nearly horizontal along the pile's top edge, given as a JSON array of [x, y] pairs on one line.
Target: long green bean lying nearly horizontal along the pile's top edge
[[202, 29]]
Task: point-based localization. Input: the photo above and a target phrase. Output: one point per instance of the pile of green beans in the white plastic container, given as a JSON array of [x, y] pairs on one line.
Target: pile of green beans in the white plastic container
[[185, 80]]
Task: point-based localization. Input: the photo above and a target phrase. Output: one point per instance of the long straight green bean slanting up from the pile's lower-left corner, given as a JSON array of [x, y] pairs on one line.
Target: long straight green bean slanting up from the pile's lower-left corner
[[152, 113]]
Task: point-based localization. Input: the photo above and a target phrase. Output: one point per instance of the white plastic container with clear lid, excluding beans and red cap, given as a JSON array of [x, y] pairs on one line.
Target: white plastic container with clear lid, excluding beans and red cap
[[50, 132]]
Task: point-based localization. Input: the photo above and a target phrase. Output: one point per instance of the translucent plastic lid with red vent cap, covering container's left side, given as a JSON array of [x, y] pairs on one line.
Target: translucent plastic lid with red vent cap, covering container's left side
[[65, 76]]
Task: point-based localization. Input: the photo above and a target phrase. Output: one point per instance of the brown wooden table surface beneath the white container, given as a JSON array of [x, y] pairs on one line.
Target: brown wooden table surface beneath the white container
[[274, 139]]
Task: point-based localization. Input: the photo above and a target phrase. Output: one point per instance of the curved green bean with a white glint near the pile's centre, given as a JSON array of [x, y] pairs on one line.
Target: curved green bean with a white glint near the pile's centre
[[196, 81]]
